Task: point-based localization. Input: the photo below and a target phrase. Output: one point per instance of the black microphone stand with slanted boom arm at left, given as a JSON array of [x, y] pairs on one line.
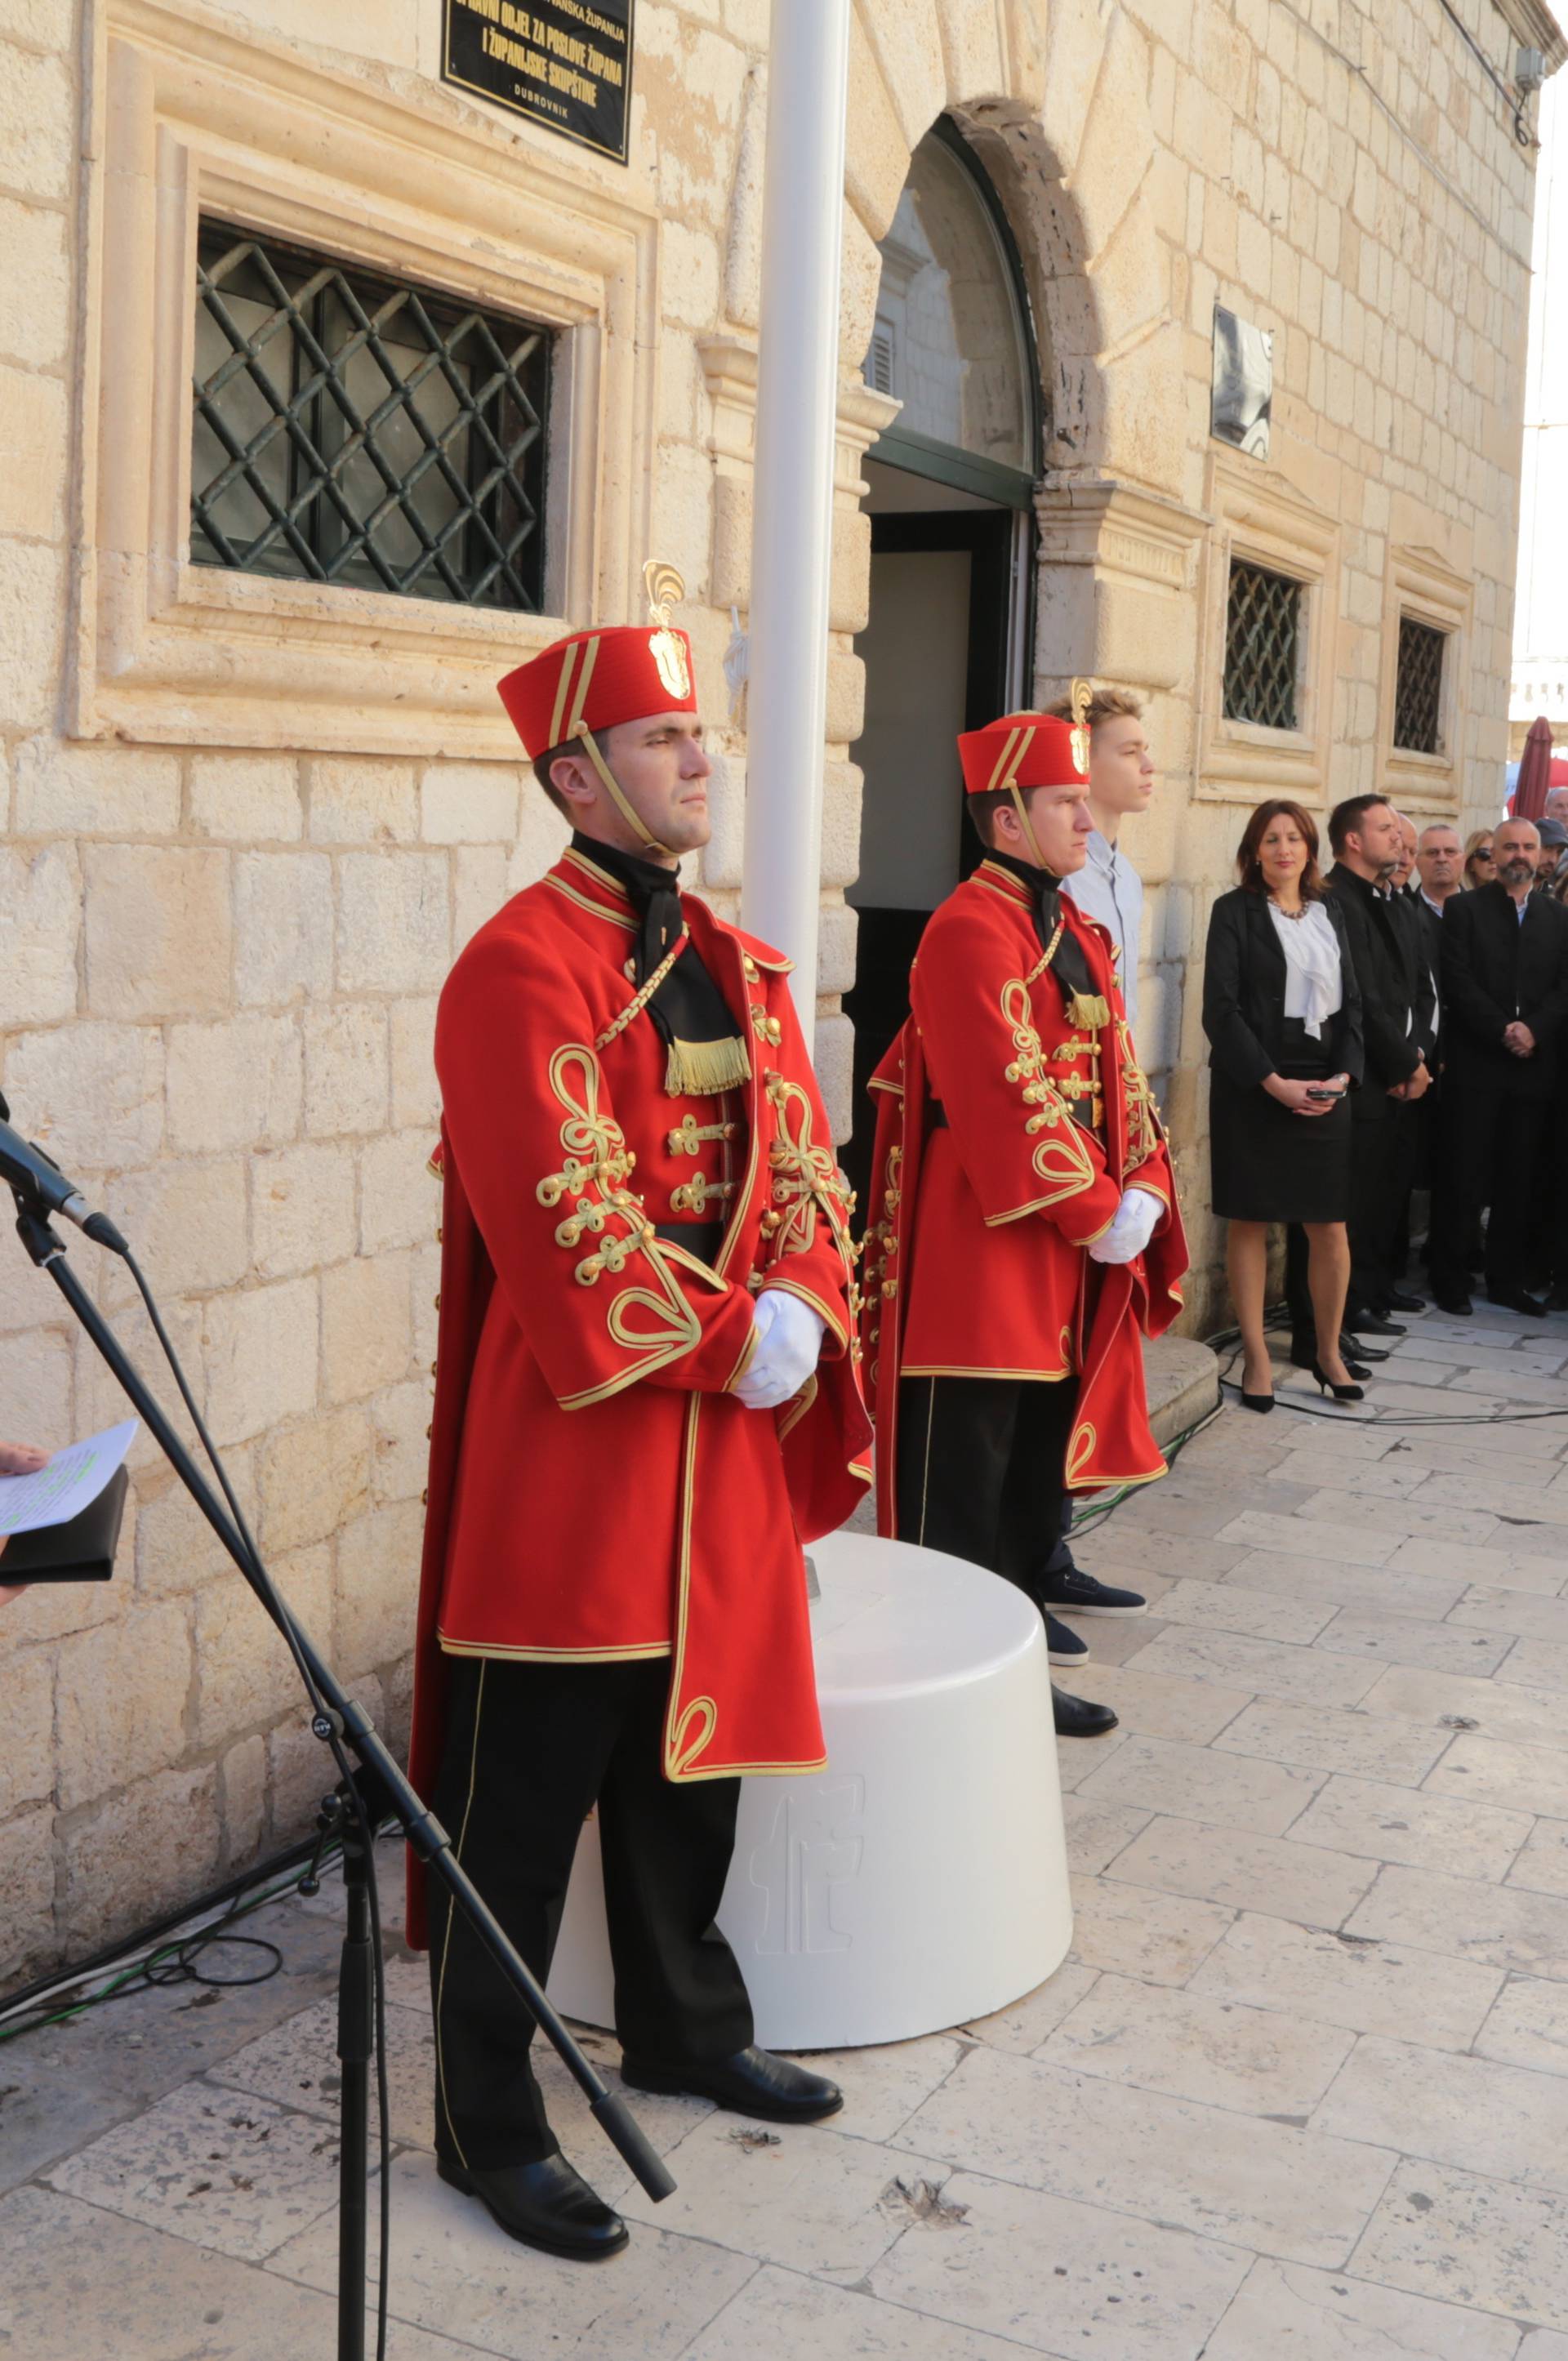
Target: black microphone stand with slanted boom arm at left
[[386, 1791]]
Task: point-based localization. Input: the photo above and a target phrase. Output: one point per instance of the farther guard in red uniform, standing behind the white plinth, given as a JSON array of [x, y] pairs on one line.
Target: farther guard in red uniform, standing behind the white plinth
[[1024, 1219]]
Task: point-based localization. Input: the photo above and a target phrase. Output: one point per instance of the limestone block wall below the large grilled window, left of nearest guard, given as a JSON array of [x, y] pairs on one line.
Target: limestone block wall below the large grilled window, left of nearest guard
[[218, 998]]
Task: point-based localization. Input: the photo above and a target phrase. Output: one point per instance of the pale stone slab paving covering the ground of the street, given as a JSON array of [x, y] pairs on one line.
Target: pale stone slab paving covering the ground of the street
[[1302, 2084]]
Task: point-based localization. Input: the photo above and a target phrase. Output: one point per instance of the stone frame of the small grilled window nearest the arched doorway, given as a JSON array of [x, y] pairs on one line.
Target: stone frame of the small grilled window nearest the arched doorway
[[1265, 521]]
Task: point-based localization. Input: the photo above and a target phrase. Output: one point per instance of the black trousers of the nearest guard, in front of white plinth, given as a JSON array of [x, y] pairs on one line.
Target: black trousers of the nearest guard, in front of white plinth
[[530, 1748]]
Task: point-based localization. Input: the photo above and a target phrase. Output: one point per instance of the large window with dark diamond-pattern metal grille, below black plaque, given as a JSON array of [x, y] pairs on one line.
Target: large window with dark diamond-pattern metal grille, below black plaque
[[365, 431]]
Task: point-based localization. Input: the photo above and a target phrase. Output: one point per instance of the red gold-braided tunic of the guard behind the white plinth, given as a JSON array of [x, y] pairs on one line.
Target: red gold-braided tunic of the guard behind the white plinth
[[1012, 1118]]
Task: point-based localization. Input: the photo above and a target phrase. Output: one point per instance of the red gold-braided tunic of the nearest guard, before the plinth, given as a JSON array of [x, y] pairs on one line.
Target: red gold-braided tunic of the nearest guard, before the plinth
[[596, 1491]]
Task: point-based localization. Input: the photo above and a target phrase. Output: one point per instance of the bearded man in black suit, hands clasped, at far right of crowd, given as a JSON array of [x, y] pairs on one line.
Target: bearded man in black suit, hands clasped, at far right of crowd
[[1505, 995]]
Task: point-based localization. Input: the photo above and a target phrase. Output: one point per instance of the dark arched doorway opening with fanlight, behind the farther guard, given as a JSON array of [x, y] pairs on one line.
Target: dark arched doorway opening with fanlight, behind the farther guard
[[950, 634]]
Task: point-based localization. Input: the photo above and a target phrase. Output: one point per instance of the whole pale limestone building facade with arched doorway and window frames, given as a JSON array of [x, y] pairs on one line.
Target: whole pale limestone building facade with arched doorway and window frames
[[249, 820]]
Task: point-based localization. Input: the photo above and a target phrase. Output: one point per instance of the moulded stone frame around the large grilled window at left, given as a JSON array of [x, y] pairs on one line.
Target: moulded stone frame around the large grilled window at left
[[197, 119]]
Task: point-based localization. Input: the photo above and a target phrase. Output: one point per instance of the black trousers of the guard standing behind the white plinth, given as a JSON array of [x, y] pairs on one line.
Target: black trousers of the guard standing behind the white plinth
[[981, 1472]]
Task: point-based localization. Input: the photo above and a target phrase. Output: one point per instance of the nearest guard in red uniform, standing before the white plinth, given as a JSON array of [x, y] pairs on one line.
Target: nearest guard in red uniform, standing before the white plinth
[[648, 1397]]
